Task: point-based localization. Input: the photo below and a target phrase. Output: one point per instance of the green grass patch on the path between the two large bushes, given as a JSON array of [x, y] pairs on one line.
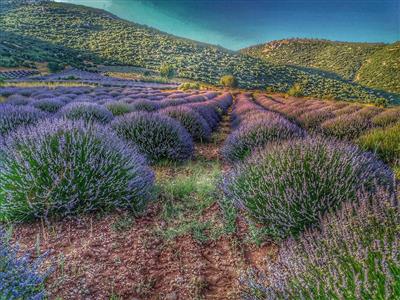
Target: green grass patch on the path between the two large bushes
[[186, 191]]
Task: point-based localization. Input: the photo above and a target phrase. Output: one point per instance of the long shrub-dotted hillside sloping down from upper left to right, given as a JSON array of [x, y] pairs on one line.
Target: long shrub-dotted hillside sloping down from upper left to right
[[80, 35]]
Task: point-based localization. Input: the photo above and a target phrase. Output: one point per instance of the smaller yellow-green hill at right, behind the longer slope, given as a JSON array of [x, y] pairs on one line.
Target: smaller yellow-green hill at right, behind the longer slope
[[371, 64]]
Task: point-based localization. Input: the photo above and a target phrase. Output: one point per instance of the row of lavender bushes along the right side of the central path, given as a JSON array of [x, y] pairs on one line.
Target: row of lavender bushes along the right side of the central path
[[327, 201]]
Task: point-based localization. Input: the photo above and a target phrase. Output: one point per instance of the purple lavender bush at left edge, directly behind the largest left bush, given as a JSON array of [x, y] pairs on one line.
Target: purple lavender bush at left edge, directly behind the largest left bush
[[13, 116]]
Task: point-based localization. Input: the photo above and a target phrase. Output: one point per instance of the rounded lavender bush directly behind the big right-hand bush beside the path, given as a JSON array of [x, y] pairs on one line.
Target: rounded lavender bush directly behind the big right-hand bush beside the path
[[255, 134]]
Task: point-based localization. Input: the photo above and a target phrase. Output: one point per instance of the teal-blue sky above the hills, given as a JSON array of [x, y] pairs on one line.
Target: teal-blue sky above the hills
[[236, 24]]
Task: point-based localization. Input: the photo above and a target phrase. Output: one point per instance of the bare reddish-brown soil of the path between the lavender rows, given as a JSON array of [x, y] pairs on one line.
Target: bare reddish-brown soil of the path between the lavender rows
[[119, 257]]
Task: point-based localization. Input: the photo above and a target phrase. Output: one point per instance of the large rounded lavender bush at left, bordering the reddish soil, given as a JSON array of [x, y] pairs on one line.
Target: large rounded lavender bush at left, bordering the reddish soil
[[61, 167]]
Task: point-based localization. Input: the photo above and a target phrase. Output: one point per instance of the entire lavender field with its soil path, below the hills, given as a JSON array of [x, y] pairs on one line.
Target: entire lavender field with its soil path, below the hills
[[121, 189]]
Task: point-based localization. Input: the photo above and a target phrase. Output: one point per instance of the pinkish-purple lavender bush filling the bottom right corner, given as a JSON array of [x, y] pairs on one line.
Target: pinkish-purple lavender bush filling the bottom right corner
[[354, 256]]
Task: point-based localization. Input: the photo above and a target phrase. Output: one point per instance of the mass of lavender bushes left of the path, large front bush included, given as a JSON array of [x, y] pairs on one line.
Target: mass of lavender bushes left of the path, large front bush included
[[68, 156]]
